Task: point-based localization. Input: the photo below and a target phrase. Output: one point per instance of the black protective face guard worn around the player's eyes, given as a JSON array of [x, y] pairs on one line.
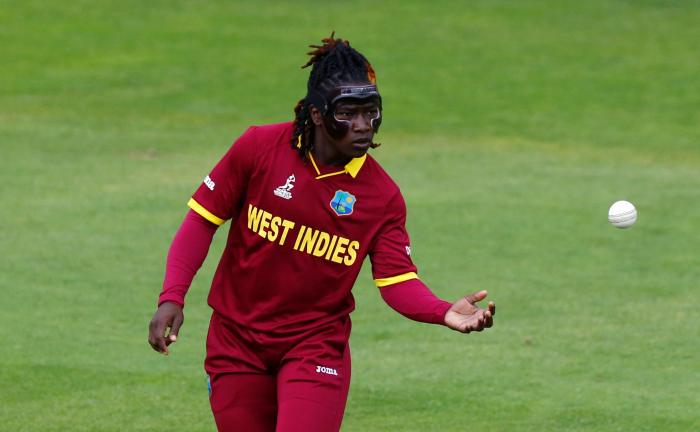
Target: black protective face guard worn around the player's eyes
[[338, 126]]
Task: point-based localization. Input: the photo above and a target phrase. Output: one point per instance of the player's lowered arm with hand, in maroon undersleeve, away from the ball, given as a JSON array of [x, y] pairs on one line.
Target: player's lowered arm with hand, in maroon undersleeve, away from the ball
[[186, 255]]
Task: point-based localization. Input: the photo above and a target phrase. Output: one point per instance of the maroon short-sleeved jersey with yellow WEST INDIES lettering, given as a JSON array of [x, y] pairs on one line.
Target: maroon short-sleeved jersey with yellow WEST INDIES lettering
[[299, 232]]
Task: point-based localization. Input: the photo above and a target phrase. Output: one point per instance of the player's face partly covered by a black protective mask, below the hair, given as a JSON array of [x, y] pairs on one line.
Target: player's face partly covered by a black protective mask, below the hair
[[348, 128]]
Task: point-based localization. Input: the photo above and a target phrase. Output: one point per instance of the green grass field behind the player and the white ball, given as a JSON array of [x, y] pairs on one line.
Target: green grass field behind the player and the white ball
[[510, 127]]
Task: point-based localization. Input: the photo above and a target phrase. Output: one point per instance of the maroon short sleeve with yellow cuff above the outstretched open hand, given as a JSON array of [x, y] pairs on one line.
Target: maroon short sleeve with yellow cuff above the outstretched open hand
[[391, 252]]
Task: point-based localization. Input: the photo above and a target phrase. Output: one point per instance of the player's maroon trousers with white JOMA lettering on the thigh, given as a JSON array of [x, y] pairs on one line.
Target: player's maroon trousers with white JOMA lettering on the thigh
[[263, 382]]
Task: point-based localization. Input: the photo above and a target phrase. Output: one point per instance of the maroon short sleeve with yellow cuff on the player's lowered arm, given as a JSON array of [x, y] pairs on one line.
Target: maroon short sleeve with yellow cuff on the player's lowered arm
[[222, 191]]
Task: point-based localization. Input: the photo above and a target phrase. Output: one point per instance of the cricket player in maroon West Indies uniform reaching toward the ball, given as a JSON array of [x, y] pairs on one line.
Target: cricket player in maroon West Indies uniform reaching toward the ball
[[307, 204]]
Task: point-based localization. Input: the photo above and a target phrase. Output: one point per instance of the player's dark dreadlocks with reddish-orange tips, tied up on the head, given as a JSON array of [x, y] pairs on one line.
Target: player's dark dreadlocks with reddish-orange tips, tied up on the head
[[333, 63]]
